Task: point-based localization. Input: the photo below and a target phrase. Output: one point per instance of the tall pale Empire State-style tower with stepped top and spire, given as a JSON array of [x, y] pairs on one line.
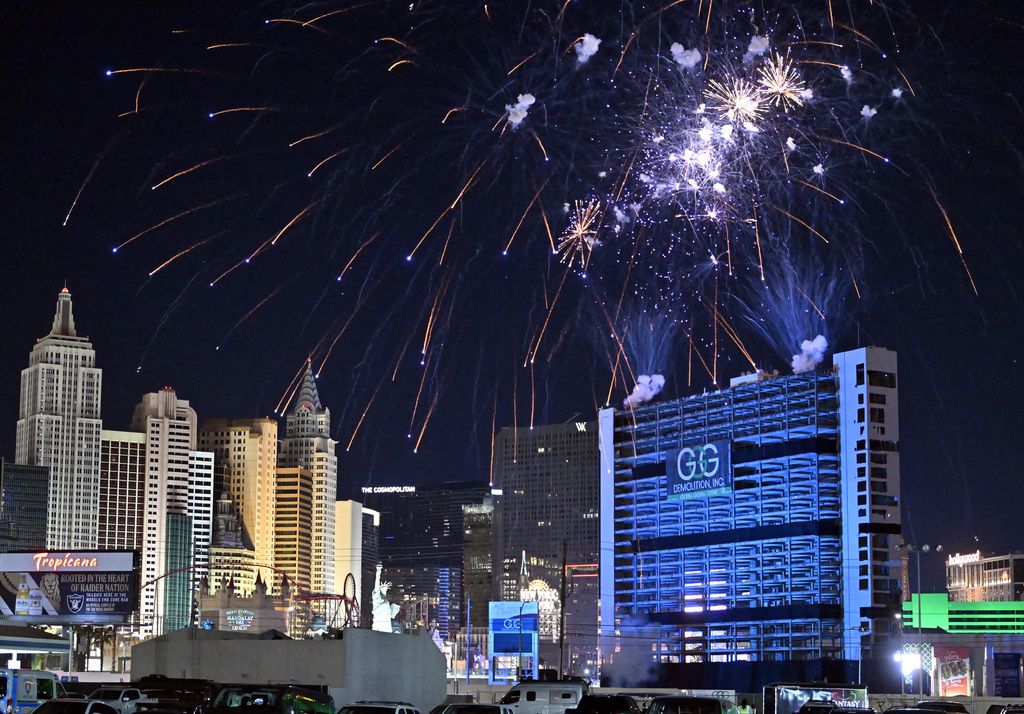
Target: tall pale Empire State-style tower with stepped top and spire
[[59, 428]]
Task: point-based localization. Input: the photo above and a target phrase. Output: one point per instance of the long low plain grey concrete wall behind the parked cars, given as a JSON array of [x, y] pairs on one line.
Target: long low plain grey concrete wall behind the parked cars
[[363, 665]]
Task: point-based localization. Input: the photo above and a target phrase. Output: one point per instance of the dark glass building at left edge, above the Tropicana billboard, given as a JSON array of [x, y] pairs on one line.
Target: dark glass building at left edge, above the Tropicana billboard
[[24, 500]]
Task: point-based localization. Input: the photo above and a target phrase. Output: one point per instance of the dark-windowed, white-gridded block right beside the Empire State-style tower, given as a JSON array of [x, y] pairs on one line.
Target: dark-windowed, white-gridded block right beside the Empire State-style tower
[[122, 491]]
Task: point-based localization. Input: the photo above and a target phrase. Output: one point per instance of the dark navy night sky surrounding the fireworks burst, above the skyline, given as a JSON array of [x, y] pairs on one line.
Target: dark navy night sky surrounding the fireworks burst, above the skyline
[[961, 355]]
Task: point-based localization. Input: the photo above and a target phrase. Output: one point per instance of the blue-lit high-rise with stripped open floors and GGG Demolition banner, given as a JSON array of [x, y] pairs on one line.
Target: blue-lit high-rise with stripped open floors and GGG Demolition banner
[[753, 530]]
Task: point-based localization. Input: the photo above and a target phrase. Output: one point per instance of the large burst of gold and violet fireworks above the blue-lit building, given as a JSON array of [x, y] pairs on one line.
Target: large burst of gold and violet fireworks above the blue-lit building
[[474, 131]]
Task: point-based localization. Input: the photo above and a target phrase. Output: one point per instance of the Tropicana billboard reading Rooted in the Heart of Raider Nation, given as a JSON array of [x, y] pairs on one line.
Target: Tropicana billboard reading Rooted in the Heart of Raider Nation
[[69, 589]]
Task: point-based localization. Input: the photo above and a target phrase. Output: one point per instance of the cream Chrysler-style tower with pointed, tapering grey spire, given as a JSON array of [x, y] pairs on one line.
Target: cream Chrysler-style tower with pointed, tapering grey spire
[[308, 444]]
